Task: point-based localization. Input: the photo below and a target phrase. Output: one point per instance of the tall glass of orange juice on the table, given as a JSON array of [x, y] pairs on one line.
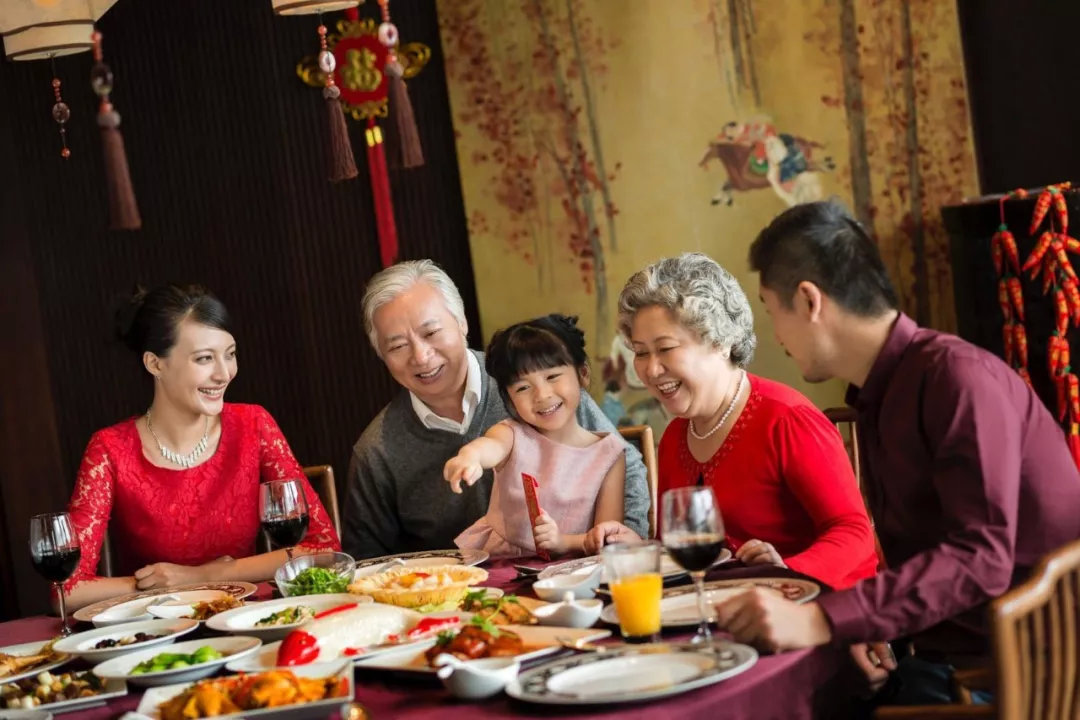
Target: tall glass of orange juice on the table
[[633, 575]]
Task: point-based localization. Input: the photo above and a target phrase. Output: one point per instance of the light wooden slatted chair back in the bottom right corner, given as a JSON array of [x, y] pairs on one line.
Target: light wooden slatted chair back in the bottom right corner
[[1037, 641]]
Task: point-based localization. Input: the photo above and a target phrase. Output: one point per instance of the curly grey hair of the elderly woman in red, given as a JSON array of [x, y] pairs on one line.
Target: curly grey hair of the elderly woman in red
[[706, 298]]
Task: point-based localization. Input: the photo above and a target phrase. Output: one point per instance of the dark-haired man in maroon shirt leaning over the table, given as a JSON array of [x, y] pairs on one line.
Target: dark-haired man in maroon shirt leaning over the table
[[968, 477]]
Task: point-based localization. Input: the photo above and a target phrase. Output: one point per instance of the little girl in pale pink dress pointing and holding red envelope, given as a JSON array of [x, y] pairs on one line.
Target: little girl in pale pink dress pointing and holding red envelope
[[542, 369]]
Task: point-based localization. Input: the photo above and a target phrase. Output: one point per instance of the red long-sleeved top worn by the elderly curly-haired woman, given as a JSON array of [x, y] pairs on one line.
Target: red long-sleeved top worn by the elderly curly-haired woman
[[782, 477]]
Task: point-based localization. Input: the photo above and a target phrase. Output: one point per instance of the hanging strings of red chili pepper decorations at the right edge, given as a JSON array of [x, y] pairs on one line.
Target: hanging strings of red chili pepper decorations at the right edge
[[1049, 260]]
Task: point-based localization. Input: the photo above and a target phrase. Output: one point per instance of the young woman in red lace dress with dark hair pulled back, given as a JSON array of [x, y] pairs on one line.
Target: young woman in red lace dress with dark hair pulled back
[[178, 487]]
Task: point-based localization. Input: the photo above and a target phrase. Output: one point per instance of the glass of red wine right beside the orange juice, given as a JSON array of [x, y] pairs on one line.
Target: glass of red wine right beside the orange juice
[[694, 536]]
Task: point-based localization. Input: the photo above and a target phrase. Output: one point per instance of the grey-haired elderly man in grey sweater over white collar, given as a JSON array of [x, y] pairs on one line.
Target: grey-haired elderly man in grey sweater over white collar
[[397, 499]]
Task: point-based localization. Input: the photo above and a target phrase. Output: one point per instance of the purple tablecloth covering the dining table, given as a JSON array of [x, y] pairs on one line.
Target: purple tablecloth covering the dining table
[[812, 684]]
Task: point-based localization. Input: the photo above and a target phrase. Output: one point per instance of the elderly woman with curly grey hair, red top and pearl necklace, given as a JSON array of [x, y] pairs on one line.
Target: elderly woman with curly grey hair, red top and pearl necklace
[[782, 479]]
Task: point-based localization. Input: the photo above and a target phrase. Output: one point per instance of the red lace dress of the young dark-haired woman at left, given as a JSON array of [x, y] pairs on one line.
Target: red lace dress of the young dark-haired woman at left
[[184, 517]]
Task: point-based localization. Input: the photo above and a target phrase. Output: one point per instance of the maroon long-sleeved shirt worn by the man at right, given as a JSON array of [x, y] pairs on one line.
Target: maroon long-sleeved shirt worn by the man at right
[[970, 483]]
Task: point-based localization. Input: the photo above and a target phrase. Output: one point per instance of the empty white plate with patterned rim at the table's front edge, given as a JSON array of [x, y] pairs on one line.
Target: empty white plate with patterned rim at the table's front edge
[[630, 676]]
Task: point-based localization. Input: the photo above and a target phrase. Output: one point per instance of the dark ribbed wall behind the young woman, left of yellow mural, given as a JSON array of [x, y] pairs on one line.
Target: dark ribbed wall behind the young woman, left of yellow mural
[[226, 150]]
